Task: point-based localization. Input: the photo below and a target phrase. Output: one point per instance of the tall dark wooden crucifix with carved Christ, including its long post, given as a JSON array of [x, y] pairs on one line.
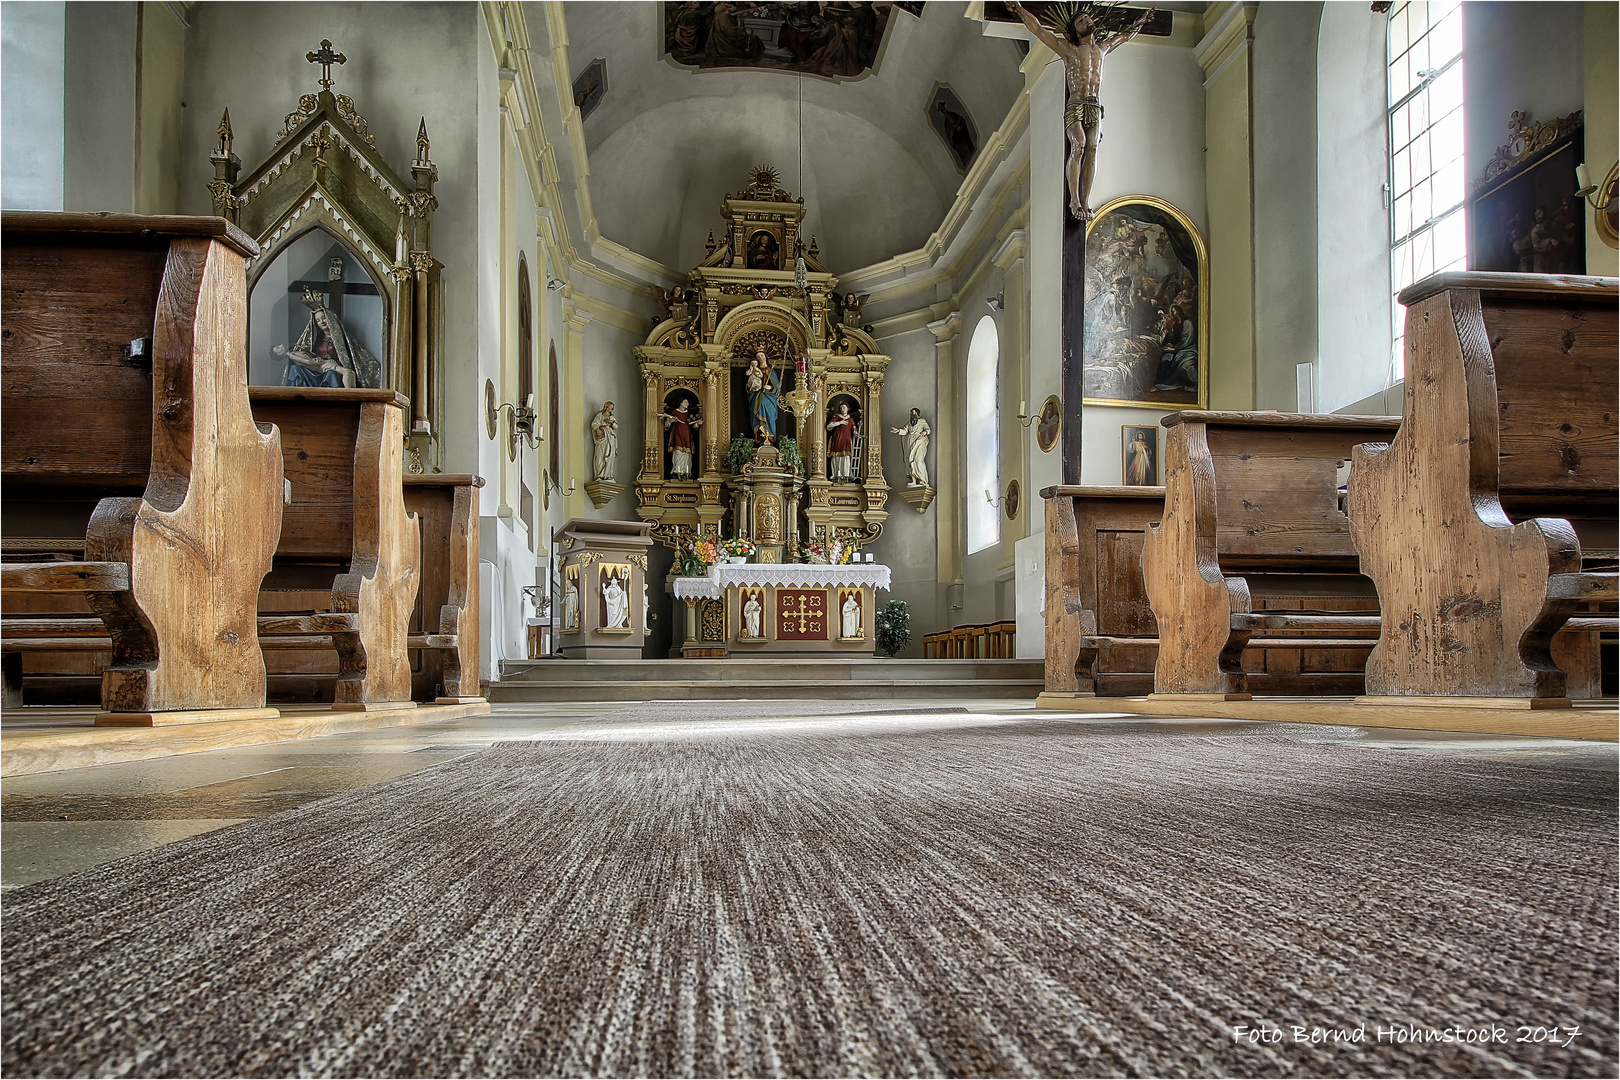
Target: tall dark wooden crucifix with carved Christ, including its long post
[[1081, 35]]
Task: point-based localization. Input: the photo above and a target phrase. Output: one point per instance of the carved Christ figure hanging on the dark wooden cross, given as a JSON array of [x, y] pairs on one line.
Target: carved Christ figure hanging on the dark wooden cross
[[1083, 48]]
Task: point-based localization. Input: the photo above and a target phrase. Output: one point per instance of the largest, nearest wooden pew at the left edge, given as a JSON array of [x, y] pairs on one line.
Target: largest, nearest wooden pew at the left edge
[[132, 459]]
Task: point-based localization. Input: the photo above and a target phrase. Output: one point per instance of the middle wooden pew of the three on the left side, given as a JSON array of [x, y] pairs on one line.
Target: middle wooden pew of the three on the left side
[[349, 564]]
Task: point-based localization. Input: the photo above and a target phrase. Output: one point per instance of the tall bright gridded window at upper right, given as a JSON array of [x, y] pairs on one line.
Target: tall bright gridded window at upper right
[[1428, 223]]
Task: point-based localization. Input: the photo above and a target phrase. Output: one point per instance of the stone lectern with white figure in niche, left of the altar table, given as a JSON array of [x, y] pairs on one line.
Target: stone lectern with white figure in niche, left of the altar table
[[603, 590]]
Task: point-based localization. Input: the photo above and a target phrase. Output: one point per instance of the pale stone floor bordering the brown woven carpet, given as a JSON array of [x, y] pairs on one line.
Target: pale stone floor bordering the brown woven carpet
[[56, 823]]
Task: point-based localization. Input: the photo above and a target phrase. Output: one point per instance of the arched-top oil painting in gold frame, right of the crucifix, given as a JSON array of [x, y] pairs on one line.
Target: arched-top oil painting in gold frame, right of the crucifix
[[1146, 307]]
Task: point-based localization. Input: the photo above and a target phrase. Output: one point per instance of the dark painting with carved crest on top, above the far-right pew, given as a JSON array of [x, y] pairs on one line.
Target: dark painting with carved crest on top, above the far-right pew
[[1524, 215]]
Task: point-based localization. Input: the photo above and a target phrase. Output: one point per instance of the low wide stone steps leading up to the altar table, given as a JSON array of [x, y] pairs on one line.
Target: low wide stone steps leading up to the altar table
[[770, 679]]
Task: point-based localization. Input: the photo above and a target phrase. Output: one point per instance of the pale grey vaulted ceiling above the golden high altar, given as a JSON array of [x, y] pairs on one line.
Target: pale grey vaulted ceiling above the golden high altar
[[668, 143]]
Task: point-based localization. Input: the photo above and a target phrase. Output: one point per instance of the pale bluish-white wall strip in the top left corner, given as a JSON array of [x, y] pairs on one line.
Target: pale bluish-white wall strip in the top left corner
[[33, 72]]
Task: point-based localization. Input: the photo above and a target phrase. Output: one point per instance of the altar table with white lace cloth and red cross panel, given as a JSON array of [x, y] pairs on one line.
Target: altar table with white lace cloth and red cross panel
[[782, 610]]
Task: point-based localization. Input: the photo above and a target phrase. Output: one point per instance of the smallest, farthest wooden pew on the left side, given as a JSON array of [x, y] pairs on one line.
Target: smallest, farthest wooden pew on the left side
[[445, 623]]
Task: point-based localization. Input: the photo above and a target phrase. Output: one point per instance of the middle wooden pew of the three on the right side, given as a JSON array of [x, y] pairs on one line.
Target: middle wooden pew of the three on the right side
[[1253, 508]]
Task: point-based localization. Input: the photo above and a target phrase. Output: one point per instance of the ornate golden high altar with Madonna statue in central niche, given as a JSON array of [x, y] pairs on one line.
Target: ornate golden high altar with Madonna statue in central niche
[[707, 464]]
